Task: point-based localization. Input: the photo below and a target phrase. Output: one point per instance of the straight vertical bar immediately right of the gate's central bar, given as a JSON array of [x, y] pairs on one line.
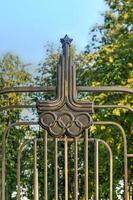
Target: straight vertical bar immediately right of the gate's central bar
[[75, 168]]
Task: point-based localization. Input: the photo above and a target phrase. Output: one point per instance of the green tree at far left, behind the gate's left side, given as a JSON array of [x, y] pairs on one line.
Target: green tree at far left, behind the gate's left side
[[13, 73]]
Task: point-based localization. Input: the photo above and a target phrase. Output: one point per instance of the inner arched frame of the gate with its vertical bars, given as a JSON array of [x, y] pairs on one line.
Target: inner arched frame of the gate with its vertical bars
[[88, 140]]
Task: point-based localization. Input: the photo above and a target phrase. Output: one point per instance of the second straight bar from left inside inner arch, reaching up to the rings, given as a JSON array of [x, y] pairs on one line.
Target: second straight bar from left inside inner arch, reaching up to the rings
[[45, 167]]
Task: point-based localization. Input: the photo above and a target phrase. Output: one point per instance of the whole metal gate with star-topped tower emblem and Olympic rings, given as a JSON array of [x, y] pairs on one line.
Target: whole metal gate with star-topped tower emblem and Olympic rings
[[70, 153]]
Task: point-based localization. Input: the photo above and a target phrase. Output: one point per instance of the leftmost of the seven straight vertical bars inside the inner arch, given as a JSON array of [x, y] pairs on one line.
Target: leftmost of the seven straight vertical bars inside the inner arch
[[35, 171]]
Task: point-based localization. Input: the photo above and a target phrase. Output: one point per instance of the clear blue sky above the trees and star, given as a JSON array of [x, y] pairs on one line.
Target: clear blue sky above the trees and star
[[27, 25]]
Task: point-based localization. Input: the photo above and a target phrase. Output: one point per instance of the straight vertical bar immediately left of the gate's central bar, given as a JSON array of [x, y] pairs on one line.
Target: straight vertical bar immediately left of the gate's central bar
[[56, 168]]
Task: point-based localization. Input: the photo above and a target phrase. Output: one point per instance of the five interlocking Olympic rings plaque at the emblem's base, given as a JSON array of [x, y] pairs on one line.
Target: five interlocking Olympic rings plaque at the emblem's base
[[72, 124]]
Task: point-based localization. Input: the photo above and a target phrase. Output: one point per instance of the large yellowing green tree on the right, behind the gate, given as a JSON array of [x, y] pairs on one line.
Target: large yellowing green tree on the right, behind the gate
[[108, 61]]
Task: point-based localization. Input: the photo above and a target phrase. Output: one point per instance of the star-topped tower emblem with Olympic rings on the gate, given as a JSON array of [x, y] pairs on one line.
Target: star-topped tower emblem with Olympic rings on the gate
[[65, 115]]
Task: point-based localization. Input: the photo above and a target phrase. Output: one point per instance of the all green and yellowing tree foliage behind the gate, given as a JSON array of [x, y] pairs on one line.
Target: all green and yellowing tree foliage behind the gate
[[106, 61]]
